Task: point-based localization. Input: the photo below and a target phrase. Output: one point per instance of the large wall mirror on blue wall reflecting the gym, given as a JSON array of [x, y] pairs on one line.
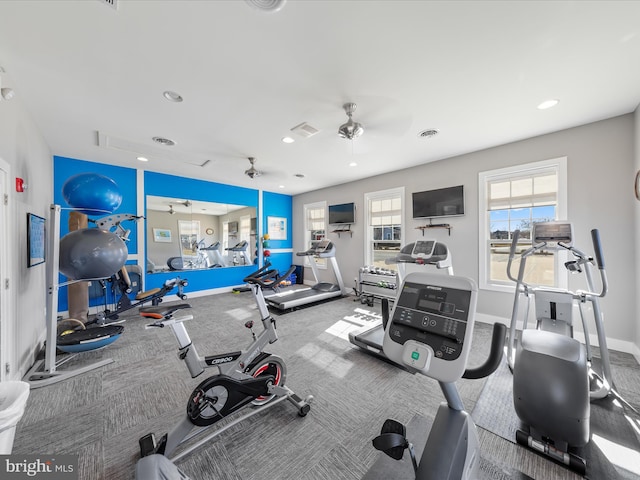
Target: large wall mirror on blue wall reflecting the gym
[[186, 234]]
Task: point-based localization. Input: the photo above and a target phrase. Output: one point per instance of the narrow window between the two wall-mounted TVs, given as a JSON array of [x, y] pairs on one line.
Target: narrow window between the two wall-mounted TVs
[[384, 226]]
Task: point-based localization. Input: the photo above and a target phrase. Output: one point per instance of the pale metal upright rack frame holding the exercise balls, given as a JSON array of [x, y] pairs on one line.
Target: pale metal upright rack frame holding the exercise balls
[[44, 372]]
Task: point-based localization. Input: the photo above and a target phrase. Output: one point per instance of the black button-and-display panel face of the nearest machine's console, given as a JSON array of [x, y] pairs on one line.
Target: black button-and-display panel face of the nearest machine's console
[[433, 315]]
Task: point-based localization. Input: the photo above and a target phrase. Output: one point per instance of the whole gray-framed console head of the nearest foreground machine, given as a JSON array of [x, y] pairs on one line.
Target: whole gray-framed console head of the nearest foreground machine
[[431, 325]]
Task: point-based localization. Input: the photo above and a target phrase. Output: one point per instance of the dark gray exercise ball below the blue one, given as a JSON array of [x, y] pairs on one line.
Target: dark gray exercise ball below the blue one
[[91, 253]]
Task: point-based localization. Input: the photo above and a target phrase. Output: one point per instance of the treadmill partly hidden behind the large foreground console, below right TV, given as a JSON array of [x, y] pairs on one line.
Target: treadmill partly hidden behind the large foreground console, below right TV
[[420, 253]]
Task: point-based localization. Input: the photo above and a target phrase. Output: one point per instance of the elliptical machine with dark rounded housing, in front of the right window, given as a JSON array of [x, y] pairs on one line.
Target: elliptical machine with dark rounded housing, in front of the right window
[[553, 373]]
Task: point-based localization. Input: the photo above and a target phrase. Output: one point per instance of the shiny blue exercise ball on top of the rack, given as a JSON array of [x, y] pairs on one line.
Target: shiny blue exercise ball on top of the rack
[[92, 193]]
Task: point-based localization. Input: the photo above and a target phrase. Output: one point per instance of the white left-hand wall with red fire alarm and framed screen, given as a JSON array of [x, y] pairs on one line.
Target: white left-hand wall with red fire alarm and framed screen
[[24, 149]]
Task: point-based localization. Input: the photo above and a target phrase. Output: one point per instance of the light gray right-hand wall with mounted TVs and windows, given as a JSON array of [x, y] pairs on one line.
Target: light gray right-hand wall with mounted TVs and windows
[[600, 169]]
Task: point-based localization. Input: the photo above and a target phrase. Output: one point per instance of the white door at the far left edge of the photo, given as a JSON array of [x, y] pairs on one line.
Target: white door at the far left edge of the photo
[[6, 327]]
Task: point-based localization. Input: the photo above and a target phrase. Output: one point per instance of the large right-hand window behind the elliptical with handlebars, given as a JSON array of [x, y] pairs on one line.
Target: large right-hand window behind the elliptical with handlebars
[[513, 199]]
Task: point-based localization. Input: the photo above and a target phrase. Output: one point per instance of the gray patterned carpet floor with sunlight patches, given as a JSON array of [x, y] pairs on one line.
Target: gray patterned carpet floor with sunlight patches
[[100, 415]]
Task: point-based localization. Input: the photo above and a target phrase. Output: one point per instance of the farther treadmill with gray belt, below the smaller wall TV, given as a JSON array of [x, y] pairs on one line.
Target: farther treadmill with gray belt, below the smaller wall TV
[[291, 298]]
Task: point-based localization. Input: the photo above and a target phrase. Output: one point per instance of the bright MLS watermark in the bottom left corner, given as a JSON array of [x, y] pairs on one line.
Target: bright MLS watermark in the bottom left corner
[[45, 467]]
